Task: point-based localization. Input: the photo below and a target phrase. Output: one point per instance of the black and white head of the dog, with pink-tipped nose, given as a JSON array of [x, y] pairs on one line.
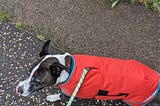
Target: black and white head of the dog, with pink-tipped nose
[[43, 74]]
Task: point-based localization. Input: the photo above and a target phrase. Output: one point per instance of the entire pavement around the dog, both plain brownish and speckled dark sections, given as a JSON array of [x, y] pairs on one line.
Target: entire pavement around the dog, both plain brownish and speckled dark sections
[[77, 26]]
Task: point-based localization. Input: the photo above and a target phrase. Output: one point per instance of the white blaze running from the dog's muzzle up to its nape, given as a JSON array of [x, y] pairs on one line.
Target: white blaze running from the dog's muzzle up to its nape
[[25, 85]]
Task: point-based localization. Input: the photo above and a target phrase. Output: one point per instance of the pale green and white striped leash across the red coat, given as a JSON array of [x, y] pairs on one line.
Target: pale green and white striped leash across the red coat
[[85, 71]]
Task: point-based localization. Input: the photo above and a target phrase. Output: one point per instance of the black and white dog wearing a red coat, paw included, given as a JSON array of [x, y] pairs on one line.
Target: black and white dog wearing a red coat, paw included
[[108, 78]]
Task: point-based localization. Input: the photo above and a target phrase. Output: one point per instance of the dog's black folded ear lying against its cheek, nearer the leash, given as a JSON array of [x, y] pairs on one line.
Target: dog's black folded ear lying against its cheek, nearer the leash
[[57, 68]]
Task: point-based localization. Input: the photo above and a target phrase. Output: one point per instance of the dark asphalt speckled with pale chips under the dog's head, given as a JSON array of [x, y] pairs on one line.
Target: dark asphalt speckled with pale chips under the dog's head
[[19, 50]]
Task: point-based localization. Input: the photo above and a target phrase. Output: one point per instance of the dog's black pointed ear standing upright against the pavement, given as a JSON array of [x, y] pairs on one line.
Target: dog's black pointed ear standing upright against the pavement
[[45, 49]]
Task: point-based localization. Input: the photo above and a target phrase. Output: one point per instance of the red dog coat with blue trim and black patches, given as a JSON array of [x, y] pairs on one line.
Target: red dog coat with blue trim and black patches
[[113, 79]]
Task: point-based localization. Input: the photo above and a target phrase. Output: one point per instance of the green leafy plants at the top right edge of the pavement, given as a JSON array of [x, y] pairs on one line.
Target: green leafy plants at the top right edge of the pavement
[[151, 4]]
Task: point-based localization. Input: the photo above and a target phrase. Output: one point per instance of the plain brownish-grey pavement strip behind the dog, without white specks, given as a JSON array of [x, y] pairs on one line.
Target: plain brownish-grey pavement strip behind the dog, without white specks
[[92, 27]]
